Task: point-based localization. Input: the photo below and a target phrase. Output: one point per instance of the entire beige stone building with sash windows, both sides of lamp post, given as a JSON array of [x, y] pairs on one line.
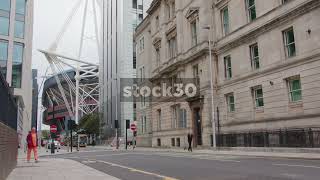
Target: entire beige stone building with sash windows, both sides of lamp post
[[266, 65]]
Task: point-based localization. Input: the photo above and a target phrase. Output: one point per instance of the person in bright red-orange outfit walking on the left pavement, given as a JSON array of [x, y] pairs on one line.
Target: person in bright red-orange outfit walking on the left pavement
[[32, 142]]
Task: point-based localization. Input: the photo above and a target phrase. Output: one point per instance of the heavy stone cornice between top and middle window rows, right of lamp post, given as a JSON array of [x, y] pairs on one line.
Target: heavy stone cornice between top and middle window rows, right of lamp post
[[272, 24]]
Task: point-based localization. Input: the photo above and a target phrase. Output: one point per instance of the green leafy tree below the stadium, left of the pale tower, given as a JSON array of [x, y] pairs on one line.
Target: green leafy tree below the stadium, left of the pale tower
[[90, 124]]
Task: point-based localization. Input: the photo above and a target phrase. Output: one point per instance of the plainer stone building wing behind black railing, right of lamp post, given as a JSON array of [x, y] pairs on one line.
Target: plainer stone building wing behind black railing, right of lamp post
[[268, 80]]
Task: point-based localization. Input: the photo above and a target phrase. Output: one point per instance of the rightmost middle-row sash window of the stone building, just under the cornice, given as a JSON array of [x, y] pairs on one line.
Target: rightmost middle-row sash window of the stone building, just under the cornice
[[289, 42]]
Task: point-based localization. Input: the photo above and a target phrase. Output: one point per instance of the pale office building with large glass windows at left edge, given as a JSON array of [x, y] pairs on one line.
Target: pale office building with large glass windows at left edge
[[16, 26]]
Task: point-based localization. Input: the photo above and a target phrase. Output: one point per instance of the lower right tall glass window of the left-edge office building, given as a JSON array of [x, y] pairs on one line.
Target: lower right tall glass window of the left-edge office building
[[17, 65]]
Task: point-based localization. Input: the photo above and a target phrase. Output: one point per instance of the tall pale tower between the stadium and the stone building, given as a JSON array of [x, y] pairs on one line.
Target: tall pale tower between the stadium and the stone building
[[121, 19]]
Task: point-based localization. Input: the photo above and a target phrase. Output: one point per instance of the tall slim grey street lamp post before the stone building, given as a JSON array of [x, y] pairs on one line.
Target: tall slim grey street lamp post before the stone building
[[211, 89]]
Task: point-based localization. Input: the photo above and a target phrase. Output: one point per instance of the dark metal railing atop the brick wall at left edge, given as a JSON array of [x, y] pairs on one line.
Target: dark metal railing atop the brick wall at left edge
[[8, 107]]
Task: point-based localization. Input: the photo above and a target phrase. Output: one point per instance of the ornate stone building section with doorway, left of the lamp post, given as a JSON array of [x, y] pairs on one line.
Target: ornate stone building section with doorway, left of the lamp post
[[170, 45]]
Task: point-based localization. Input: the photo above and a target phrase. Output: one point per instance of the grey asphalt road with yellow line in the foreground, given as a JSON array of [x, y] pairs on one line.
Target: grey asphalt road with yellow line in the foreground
[[141, 165]]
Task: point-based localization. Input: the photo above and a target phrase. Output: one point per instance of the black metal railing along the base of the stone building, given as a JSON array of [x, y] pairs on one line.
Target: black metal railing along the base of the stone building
[[292, 138]]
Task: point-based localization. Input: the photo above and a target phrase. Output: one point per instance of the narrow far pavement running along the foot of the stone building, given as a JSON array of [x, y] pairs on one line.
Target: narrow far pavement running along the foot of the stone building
[[290, 155]]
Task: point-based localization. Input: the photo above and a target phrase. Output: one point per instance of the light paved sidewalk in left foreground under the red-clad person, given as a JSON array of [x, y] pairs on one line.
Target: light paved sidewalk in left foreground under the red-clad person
[[54, 169]]
